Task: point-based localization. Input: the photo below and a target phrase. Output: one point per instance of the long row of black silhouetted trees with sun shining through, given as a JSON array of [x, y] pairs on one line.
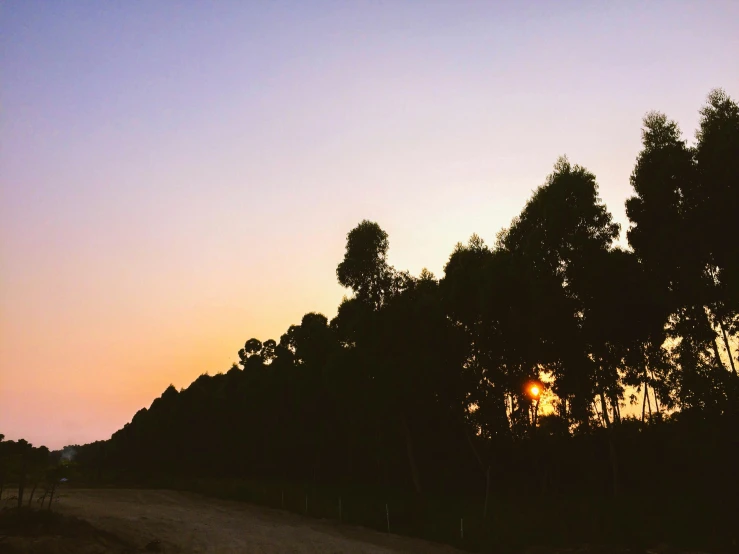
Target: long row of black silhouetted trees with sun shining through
[[552, 362]]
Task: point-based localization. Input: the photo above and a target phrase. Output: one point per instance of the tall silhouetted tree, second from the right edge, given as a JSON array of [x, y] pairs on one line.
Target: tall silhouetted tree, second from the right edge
[[665, 213]]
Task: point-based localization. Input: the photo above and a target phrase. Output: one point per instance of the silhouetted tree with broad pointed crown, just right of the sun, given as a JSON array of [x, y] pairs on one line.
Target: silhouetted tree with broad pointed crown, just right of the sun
[[561, 235]]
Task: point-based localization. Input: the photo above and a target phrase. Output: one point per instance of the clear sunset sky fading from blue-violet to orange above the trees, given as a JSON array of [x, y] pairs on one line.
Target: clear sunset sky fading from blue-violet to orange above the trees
[[178, 177]]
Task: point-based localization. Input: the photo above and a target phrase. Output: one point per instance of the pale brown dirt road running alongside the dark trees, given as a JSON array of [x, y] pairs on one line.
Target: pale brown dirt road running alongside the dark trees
[[185, 522]]
